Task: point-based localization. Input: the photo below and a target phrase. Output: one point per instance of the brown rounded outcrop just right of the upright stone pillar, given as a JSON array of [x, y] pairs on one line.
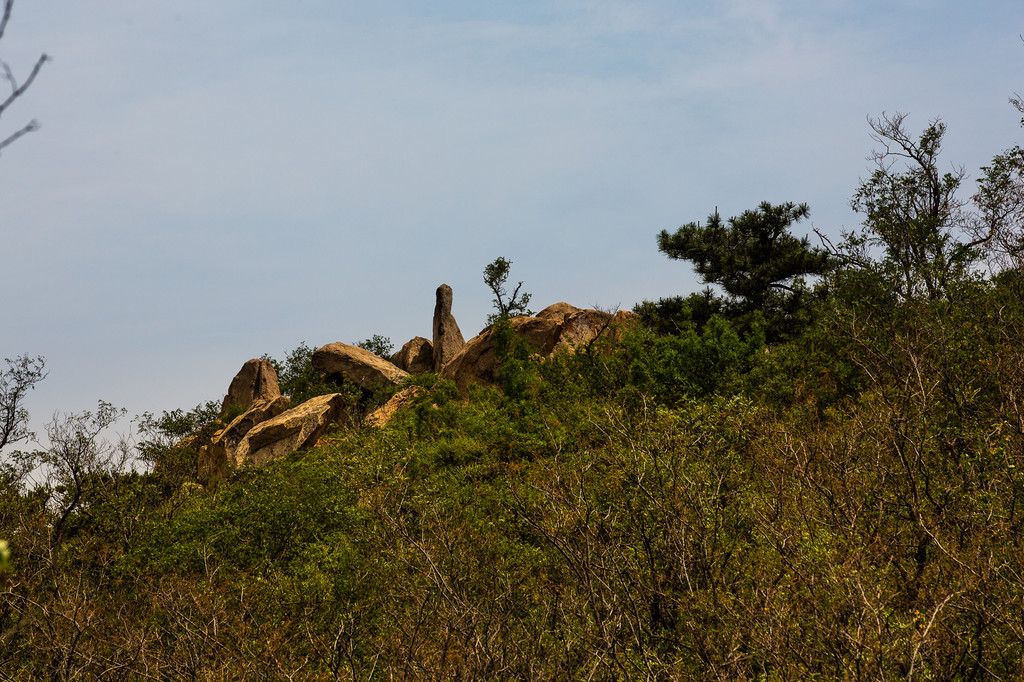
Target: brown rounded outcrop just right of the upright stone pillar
[[560, 328]]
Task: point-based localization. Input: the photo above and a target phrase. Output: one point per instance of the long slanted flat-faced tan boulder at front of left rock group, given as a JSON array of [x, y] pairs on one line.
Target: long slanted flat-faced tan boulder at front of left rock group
[[295, 430]]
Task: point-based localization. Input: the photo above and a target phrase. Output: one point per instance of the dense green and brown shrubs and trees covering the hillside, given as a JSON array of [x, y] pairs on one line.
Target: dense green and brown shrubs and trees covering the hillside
[[818, 479]]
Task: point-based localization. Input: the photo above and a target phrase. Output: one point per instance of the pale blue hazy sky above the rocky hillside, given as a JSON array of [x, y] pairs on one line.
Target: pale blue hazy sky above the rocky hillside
[[214, 182]]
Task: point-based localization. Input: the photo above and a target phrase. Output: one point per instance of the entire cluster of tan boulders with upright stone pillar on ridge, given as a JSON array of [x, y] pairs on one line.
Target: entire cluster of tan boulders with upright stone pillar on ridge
[[267, 432]]
